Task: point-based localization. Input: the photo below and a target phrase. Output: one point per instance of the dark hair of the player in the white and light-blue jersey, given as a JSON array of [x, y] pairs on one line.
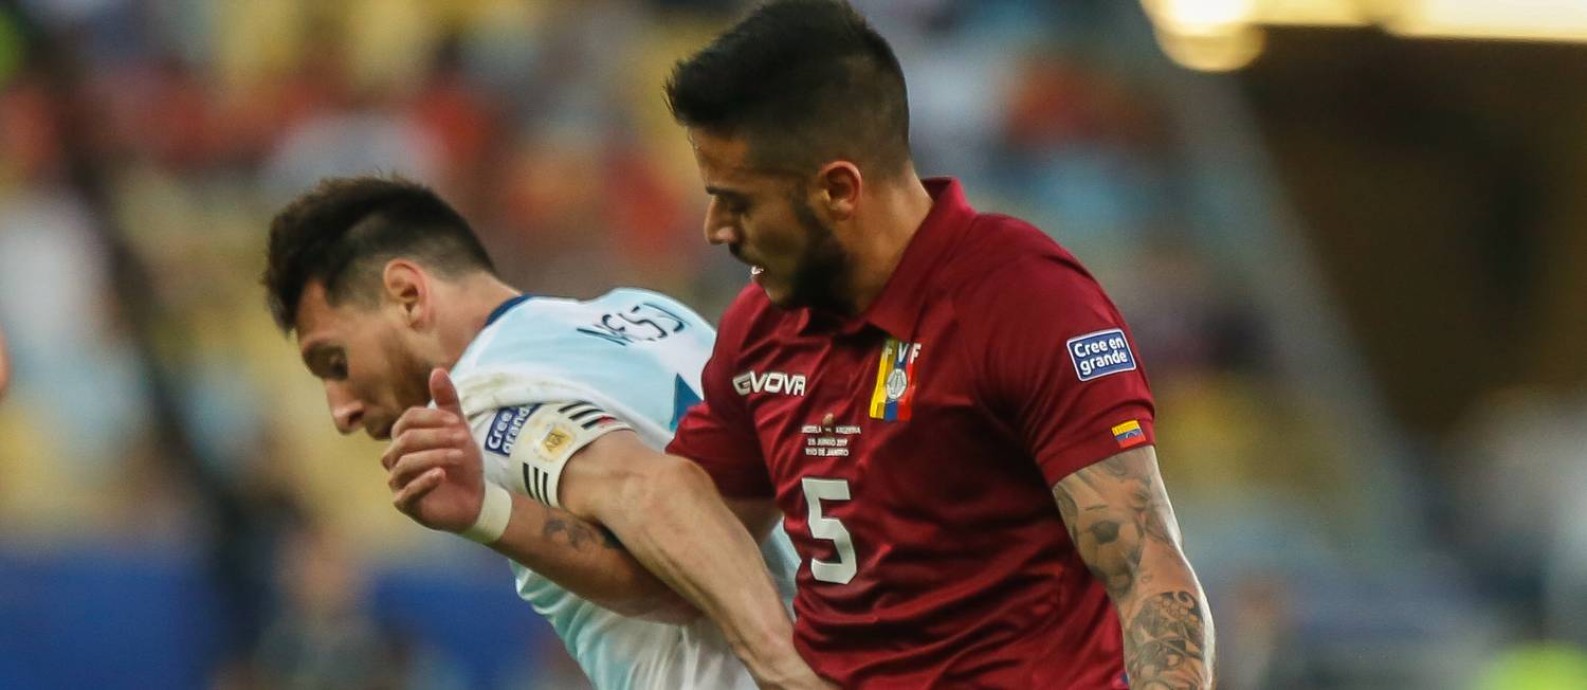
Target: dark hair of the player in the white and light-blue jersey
[[345, 231]]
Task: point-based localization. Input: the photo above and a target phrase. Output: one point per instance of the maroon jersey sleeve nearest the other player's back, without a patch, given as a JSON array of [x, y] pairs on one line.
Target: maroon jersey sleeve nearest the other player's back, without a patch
[[720, 434]]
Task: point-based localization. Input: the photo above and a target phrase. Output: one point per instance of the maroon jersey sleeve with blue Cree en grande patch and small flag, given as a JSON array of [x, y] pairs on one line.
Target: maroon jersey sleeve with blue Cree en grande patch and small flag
[[1062, 366]]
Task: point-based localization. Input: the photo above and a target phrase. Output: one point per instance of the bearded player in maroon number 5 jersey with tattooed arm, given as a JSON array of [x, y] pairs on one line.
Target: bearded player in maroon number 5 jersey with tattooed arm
[[943, 404]]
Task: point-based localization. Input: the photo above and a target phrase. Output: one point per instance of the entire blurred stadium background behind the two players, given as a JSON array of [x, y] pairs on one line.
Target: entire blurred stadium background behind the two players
[[1351, 237]]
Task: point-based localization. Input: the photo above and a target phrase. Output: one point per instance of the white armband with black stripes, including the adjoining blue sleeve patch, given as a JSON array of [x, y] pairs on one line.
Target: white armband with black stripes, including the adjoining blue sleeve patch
[[539, 440]]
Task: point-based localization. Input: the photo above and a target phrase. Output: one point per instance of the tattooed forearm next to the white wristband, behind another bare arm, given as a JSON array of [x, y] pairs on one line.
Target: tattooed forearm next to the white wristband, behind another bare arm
[[588, 562]]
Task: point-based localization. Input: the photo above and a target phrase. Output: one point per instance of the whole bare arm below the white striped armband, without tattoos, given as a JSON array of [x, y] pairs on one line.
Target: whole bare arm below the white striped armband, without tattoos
[[671, 516]]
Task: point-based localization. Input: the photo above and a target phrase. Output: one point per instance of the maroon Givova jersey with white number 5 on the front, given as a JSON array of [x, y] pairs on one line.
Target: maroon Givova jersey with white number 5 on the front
[[912, 451]]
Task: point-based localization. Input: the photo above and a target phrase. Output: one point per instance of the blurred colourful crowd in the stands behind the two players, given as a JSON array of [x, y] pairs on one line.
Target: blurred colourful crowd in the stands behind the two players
[[155, 408]]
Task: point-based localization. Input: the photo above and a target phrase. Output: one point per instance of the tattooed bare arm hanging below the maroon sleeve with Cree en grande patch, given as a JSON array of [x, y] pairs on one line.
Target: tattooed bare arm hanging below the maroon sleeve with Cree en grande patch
[[1120, 518]]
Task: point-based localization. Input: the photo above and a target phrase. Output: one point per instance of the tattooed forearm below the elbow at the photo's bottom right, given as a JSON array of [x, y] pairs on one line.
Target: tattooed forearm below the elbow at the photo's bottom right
[[1169, 637]]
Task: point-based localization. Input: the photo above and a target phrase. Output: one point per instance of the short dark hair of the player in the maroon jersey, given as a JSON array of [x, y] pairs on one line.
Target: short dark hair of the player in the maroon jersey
[[804, 82]]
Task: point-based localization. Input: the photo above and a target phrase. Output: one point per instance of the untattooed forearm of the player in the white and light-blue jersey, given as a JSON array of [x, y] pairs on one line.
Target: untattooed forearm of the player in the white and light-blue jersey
[[677, 524]]
